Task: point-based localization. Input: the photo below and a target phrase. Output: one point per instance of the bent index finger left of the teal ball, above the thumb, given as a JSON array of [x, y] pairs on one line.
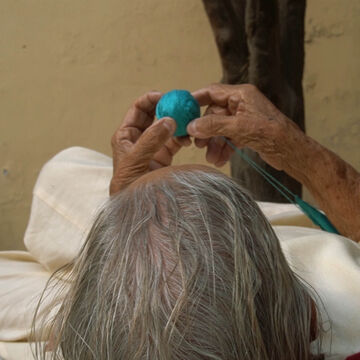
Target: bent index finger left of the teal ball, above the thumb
[[142, 113]]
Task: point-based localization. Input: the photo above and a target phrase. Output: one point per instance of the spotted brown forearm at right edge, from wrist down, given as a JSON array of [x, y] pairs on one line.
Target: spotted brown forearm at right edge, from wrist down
[[334, 184]]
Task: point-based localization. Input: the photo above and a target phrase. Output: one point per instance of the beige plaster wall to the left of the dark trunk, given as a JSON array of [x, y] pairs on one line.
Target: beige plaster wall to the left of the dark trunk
[[68, 72]]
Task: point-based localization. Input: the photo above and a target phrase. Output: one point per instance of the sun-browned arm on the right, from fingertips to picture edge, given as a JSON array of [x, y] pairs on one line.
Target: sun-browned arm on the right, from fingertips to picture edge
[[249, 119]]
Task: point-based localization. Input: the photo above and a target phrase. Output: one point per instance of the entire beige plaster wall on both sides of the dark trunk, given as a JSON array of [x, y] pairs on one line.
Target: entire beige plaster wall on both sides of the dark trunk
[[69, 70]]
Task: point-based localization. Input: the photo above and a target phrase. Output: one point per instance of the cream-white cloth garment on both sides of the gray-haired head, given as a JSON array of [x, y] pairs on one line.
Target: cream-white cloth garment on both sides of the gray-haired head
[[70, 189]]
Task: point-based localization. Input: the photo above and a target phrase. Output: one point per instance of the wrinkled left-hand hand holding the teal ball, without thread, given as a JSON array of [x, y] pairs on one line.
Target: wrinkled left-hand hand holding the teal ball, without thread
[[140, 145]]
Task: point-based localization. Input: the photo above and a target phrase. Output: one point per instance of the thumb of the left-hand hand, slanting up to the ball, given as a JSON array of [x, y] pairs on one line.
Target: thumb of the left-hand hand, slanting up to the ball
[[153, 139]]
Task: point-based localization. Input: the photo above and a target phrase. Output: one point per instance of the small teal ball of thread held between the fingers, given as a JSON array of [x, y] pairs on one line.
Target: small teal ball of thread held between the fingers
[[179, 105]]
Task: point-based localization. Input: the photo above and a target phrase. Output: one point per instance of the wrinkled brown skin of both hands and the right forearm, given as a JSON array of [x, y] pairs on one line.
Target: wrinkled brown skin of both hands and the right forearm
[[244, 115]]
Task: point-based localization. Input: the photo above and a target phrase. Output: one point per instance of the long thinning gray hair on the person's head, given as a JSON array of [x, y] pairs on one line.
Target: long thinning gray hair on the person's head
[[185, 267]]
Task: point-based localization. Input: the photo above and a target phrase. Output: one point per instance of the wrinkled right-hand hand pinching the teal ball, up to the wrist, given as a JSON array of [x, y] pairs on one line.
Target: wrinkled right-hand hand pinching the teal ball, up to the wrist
[[242, 114]]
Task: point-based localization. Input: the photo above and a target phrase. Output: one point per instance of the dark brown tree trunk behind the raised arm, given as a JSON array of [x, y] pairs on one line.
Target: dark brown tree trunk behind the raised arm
[[262, 42]]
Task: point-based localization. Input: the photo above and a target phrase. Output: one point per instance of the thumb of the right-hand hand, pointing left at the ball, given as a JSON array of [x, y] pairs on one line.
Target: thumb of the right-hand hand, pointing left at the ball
[[212, 125]]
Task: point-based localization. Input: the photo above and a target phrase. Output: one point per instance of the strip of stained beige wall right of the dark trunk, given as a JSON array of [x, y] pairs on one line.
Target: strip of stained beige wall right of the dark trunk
[[332, 76]]
